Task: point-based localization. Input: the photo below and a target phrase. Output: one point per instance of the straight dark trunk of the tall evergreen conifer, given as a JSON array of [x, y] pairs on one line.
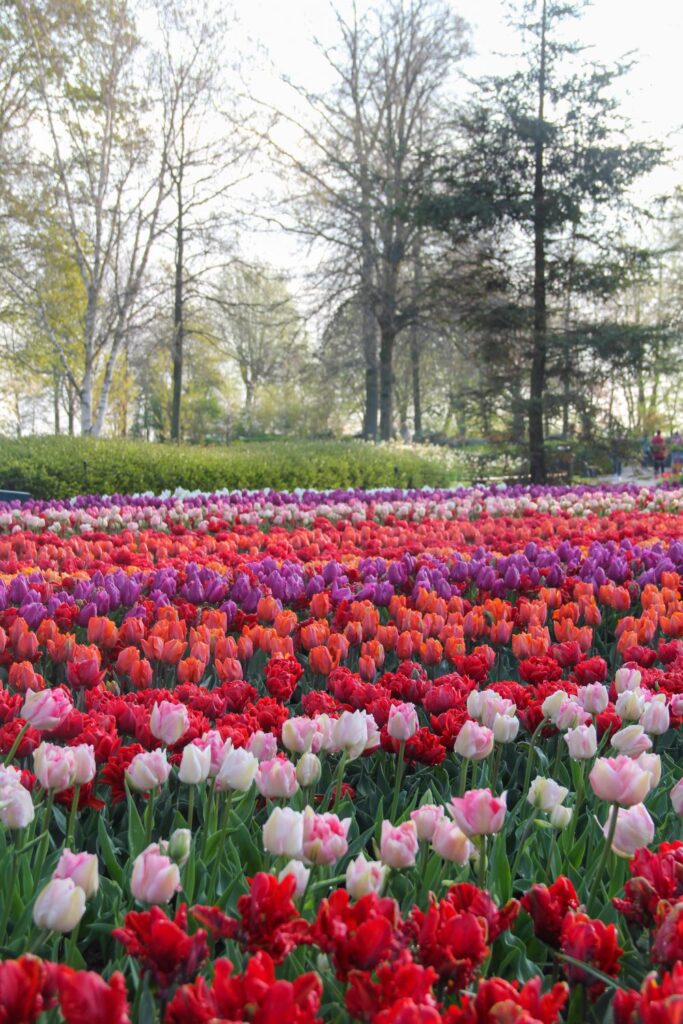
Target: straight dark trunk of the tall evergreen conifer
[[540, 348]]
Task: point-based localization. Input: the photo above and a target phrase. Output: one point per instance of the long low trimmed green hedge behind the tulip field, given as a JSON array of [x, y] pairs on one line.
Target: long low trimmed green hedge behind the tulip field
[[62, 467]]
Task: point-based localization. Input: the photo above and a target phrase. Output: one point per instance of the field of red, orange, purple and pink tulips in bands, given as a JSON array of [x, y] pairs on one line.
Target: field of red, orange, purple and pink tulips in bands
[[393, 757]]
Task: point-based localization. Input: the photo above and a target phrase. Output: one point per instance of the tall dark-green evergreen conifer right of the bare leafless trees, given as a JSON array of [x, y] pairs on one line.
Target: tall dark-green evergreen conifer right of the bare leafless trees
[[543, 159]]
